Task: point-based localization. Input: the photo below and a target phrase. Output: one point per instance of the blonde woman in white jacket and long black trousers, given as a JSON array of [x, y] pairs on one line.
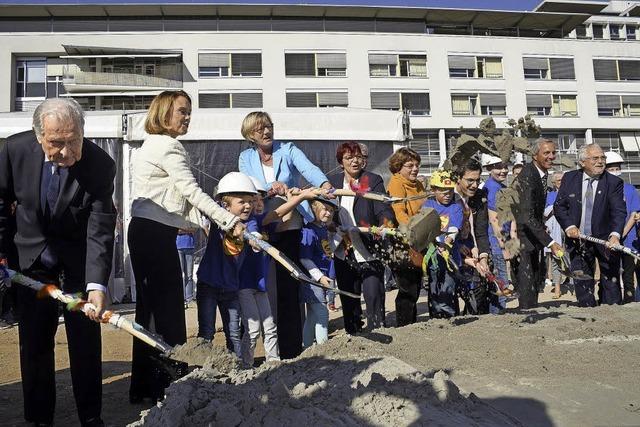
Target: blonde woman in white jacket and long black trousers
[[166, 197]]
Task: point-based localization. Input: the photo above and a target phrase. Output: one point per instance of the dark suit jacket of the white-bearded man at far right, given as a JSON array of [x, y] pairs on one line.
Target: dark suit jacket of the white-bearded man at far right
[[609, 209]]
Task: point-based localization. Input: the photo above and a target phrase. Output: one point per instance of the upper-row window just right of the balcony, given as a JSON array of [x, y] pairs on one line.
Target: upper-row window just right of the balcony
[[230, 64]]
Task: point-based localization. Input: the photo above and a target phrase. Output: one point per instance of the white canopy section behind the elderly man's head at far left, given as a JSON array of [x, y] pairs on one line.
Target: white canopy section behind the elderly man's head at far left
[[98, 124]]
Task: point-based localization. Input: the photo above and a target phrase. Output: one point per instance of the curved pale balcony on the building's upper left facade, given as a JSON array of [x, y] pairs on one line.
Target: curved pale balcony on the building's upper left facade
[[76, 80]]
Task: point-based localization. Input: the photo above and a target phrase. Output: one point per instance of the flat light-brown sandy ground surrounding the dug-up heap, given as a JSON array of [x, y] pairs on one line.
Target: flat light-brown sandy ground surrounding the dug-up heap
[[557, 365]]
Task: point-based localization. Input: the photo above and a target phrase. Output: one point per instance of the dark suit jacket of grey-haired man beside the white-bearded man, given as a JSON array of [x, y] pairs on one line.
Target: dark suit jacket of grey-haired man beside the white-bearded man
[[530, 212]]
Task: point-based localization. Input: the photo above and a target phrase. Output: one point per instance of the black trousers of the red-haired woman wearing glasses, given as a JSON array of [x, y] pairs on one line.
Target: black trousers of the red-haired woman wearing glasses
[[368, 279]]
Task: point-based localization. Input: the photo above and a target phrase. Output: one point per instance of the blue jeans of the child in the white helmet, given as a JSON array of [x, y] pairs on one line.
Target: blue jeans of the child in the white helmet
[[208, 298]]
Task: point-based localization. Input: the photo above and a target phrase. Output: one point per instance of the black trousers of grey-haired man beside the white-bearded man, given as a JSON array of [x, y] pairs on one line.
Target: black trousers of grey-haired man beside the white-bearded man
[[529, 270]]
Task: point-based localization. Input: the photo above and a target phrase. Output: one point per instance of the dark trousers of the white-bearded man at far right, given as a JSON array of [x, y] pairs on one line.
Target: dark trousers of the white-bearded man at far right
[[583, 257]]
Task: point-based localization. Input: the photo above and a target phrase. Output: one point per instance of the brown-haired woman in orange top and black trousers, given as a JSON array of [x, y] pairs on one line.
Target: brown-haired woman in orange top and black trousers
[[404, 164]]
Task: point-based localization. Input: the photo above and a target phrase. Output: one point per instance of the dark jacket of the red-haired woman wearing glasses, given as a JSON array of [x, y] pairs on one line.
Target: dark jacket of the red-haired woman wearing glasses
[[368, 212]]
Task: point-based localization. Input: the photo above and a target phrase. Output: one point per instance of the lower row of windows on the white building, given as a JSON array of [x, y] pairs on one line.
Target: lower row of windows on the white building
[[418, 103]]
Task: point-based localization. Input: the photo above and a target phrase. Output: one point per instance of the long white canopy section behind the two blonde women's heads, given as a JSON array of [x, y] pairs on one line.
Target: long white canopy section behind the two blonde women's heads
[[337, 124]]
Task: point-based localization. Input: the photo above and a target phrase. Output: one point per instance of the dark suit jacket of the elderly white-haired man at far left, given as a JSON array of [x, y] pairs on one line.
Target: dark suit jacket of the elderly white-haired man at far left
[[82, 224]]
